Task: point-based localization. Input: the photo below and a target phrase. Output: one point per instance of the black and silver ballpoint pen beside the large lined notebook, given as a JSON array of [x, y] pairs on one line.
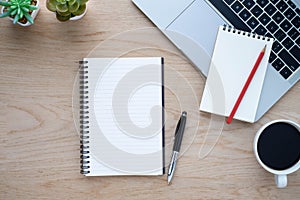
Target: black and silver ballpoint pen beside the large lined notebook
[[177, 143]]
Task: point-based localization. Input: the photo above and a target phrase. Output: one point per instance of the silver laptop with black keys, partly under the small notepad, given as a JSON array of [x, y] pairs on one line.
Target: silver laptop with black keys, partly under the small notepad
[[192, 26]]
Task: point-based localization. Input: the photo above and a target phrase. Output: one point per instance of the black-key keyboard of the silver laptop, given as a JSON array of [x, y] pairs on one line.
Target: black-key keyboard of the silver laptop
[[279, 19]]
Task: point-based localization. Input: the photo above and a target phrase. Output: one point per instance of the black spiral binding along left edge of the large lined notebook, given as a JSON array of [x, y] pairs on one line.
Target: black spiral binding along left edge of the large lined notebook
[[84, 117]]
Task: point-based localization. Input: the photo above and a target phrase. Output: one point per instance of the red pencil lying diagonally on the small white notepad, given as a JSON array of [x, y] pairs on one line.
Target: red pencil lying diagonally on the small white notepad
[[250, 77]]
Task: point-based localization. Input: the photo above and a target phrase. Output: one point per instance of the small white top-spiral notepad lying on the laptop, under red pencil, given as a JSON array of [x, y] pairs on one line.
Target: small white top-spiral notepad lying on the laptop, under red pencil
[[234, 56]]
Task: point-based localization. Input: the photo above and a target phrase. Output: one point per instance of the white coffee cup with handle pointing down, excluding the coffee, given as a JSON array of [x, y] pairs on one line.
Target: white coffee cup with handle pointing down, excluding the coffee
[[280, 175]]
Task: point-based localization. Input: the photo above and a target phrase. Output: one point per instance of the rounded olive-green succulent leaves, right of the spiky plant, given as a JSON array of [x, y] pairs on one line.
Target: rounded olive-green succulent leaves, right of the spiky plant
[[65, 9]]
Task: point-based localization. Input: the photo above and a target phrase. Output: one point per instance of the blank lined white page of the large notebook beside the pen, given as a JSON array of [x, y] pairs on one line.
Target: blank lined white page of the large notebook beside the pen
[[126, 116]]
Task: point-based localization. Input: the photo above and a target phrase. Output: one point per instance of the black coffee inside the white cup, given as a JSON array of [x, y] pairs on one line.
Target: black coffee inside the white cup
[[279, 146]]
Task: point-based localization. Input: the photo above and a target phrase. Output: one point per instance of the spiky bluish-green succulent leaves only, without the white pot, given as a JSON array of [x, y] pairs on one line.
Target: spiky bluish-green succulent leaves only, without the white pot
[[17, 9]]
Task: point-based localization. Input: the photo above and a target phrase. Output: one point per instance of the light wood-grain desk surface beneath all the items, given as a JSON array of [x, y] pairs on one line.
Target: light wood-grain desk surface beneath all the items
[[39, 156]]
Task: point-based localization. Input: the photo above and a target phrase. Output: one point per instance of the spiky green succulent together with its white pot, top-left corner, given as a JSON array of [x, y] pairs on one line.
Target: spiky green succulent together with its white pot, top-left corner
[[22, 12]]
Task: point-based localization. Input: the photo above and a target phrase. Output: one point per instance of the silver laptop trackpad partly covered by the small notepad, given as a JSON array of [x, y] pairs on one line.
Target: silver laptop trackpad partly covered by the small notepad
[[194, 33]]
